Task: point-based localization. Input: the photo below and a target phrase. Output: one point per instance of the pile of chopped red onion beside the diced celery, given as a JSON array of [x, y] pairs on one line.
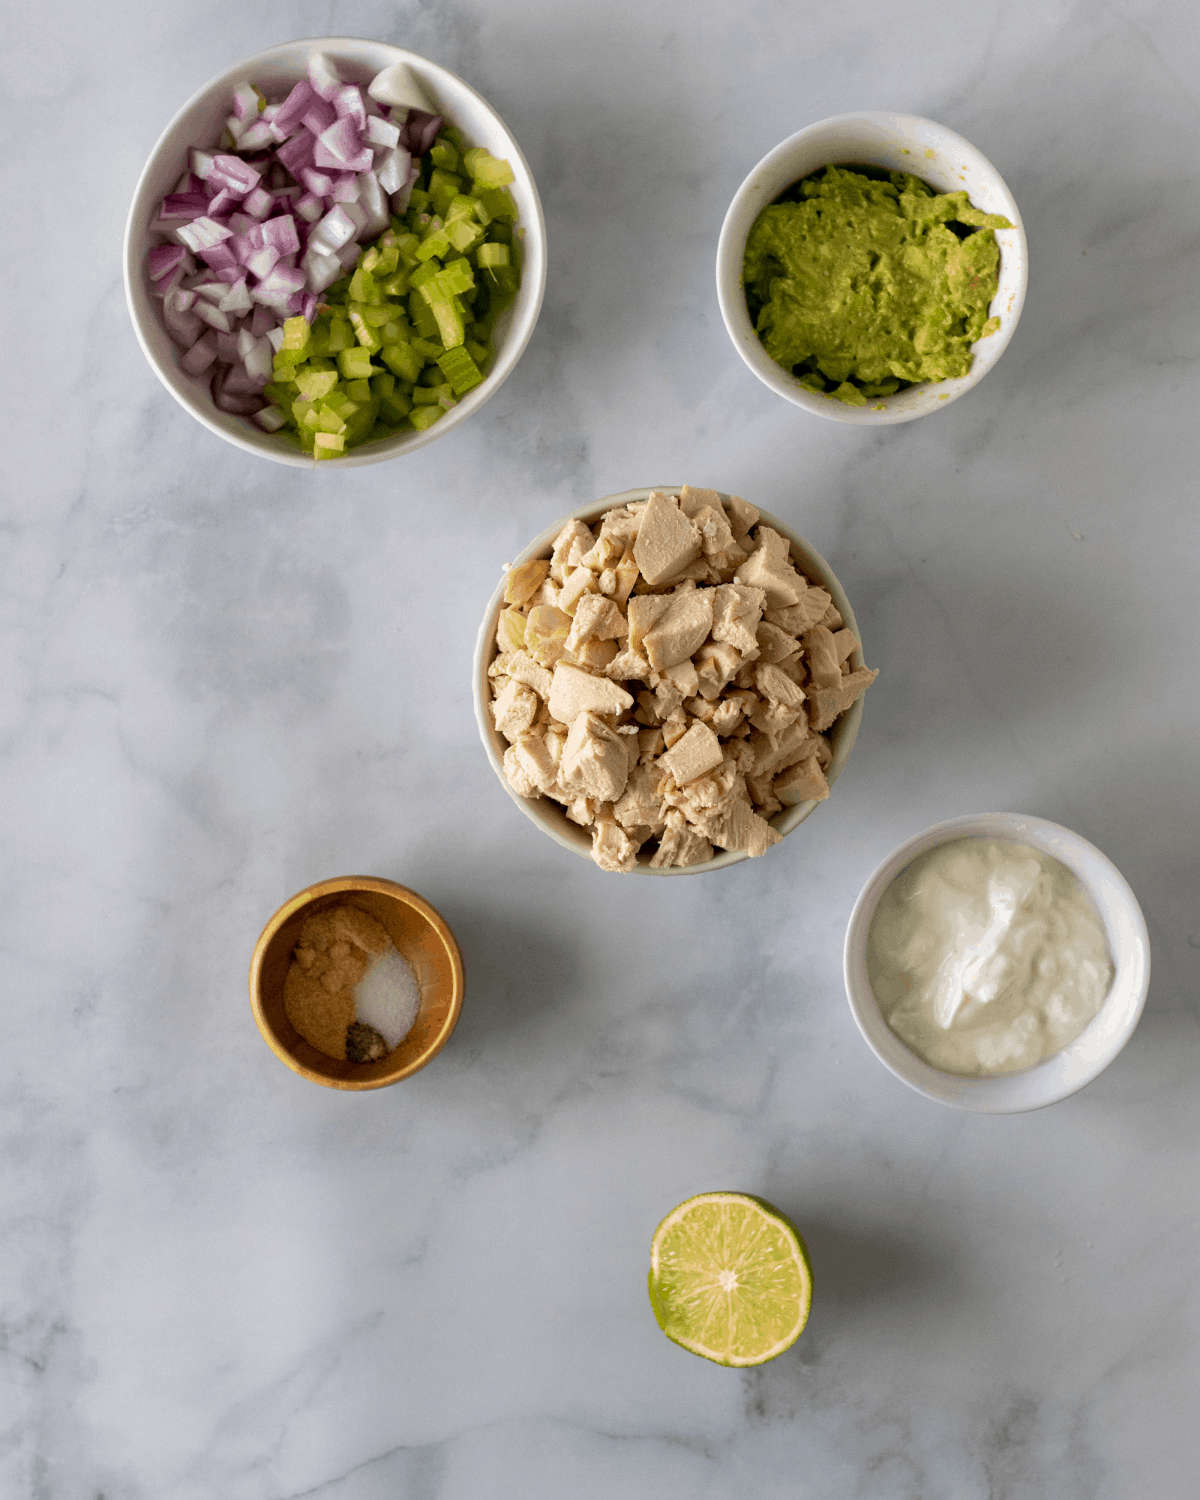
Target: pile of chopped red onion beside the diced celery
[[248, 221]]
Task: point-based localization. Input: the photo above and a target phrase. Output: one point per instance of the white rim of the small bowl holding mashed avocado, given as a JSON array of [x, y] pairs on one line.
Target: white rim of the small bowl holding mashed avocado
[[917, 401]]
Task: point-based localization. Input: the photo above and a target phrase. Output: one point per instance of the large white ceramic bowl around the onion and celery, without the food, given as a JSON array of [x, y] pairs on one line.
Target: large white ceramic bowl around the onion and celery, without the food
[[200, 124]]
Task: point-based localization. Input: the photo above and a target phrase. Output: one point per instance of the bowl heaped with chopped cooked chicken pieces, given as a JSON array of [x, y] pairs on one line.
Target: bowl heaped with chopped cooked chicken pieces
[[670, 682]]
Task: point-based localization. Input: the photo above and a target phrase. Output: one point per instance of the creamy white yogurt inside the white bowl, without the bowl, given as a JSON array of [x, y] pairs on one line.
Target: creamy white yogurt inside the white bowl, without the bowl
[[988, 956]]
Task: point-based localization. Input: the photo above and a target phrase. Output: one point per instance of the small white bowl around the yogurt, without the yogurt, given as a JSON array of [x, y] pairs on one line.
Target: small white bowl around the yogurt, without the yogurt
[[1082, 1060]]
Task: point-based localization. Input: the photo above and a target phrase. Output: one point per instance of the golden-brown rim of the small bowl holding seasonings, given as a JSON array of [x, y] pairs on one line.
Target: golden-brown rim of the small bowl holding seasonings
[[350, 886]]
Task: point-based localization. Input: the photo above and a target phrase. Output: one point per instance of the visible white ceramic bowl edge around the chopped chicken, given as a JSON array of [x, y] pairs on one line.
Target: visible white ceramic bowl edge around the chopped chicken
[[550, 817]]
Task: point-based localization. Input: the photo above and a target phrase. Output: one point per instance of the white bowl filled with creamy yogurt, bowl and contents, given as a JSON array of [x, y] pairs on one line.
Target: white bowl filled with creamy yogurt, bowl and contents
[[997, 962]]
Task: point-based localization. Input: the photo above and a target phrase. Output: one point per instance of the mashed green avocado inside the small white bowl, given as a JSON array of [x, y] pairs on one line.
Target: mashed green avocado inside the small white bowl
[[865, 281]]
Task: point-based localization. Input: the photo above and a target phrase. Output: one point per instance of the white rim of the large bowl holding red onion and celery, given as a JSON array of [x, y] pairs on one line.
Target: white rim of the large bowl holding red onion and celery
[[176, 380]]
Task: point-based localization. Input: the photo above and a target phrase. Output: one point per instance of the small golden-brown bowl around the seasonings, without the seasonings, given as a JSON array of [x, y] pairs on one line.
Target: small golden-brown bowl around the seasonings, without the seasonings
[[419, 935]]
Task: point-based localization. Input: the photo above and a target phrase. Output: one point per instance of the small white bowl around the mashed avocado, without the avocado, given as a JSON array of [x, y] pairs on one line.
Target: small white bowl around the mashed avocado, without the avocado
[[901, 143]]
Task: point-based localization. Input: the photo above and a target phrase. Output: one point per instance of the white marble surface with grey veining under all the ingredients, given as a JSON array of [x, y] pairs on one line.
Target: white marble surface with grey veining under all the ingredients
[[224, 680]]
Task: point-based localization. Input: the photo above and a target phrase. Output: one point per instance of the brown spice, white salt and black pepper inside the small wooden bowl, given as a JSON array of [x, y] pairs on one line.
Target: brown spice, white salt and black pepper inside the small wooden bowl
[[349, 992]]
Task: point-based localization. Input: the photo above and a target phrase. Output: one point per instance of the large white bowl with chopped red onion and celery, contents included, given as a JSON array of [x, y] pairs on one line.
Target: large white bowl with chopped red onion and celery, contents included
[[337, 251]]
